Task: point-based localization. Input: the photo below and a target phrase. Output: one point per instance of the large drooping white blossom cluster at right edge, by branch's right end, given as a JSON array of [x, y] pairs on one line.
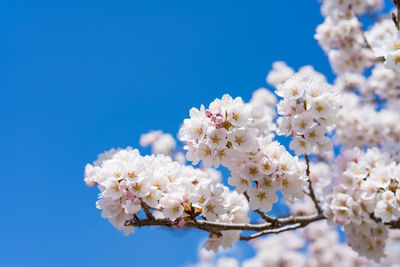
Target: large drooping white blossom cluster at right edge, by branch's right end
[[365, 194]]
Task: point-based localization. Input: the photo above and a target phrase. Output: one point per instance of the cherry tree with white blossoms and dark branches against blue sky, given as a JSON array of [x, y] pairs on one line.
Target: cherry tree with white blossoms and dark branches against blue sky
[[340, 169]]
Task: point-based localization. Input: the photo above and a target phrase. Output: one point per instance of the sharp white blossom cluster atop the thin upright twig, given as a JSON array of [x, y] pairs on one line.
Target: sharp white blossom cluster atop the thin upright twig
[[308, 110]]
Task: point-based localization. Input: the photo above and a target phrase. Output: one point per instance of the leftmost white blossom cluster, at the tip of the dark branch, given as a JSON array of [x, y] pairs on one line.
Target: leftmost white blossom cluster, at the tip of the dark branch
[[130, 183]]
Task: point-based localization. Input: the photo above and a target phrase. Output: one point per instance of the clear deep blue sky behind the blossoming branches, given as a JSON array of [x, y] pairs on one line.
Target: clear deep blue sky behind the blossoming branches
[[80, 77]]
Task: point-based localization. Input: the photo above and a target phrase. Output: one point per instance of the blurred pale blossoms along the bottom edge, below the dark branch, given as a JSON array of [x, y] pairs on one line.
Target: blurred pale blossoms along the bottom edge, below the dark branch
[[316, 245]]
